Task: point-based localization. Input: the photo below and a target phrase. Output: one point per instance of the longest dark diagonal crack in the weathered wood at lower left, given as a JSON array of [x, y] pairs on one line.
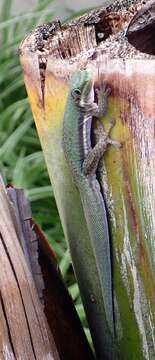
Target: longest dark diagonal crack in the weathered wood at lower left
[[16, 278]]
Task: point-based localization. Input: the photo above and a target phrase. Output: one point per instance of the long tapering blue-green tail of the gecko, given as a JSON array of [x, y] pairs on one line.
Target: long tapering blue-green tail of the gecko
[[96, 218]]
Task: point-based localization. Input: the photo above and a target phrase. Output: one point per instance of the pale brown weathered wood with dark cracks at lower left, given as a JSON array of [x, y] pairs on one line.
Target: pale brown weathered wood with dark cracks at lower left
[[27, 327]]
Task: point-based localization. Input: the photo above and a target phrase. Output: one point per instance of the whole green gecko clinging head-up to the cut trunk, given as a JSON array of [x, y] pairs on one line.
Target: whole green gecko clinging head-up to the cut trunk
[[83, 162]]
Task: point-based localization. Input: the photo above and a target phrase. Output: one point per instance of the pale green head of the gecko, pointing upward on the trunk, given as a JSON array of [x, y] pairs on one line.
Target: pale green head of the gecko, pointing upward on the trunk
[[81, 85]]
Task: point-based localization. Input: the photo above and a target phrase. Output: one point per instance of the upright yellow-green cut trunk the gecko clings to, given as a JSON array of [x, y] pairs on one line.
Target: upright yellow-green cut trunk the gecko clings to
[[50, 55]]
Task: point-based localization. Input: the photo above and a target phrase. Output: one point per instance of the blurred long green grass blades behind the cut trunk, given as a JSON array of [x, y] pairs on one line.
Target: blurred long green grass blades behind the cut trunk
[[21, 158]]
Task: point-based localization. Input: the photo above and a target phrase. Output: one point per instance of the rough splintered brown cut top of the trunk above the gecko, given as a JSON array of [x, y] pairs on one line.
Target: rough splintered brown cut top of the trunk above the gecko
[[101, 31]]
